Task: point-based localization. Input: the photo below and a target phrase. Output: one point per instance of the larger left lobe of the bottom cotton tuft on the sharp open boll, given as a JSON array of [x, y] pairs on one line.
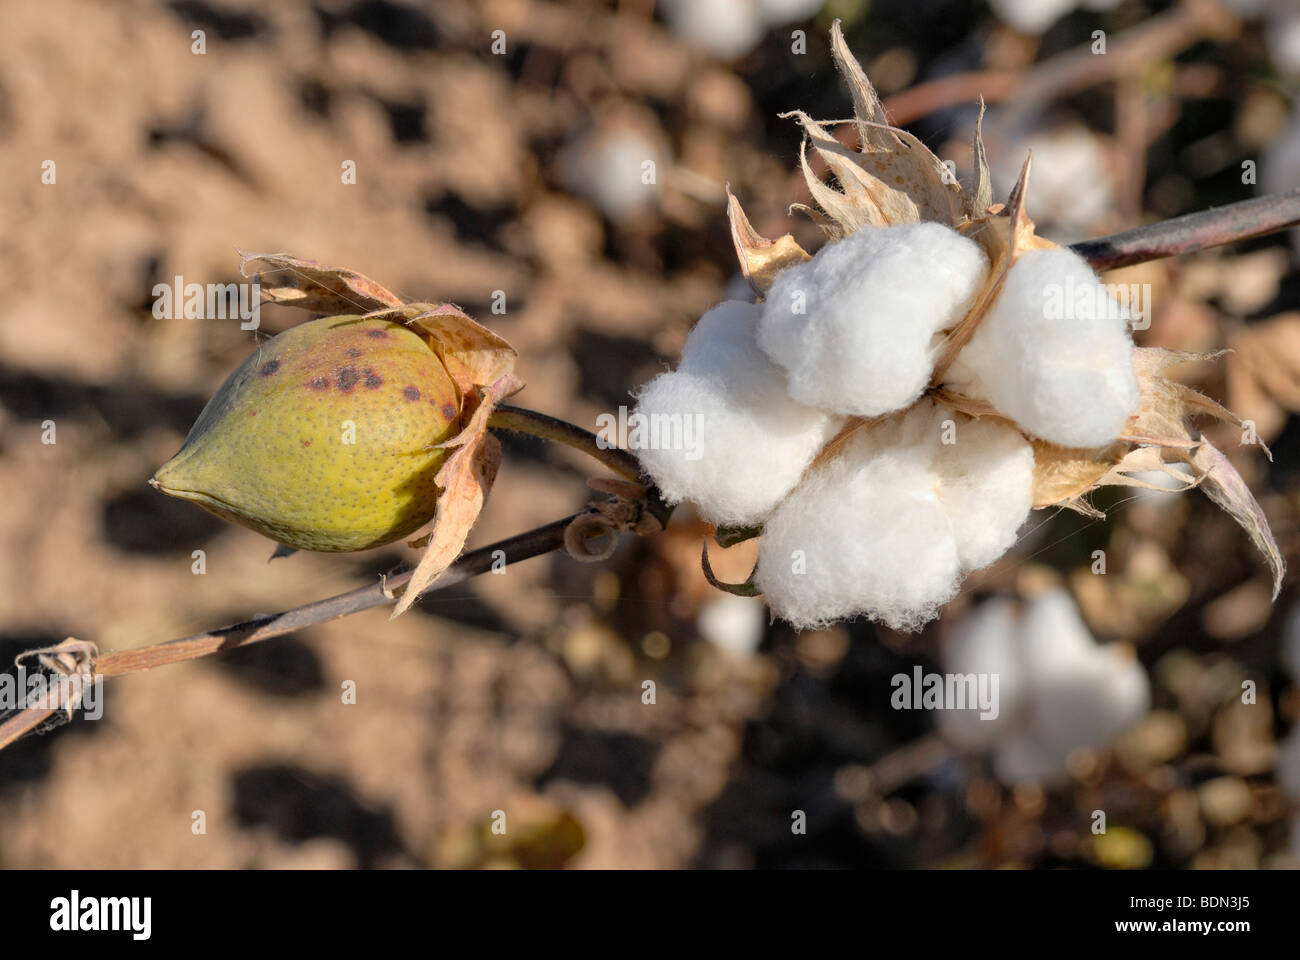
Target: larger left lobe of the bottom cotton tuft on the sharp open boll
[[864, 534]]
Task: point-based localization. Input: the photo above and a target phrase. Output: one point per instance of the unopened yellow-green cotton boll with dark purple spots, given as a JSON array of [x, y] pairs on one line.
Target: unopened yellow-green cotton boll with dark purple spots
[[326, 438]]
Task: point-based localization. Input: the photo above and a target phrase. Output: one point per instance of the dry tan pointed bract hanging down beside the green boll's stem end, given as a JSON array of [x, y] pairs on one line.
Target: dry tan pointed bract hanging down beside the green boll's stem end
[[465, 482]]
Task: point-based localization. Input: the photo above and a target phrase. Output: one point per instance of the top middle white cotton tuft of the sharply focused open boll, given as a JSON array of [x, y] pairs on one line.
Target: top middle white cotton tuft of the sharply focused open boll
[[857, 327]]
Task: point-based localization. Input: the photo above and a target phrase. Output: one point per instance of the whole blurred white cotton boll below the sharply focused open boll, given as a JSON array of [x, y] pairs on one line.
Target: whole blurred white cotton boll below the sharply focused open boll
[[1059, 690]]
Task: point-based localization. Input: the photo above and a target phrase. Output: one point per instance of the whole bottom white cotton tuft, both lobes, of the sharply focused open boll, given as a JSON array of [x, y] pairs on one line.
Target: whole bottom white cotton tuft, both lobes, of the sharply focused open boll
[[896, 518]]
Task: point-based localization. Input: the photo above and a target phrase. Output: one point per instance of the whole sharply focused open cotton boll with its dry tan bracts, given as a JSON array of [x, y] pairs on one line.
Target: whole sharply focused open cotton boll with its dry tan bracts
[[892, 408]]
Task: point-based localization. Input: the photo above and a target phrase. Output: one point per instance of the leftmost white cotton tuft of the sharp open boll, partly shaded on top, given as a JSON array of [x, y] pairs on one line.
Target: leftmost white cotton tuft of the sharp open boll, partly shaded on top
[[721, 431]]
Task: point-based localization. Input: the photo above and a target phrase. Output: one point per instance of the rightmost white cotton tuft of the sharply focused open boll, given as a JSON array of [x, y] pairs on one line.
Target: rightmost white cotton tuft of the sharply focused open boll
[[1054, 353]]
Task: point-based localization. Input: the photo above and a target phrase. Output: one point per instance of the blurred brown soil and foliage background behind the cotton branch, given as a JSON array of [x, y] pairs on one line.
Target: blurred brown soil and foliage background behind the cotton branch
[[522, 174]]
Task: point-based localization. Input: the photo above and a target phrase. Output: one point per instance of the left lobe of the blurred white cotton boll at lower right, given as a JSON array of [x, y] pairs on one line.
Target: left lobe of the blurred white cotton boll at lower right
[[986, 642]]
